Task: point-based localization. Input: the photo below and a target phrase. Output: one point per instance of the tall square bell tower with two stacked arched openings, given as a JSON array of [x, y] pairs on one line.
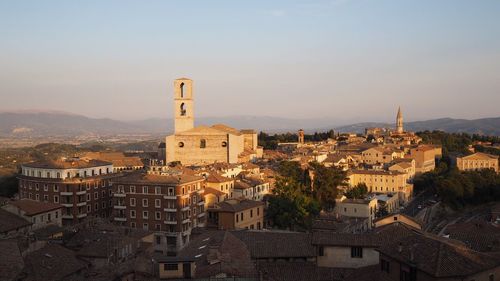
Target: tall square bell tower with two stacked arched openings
[[183, 105]]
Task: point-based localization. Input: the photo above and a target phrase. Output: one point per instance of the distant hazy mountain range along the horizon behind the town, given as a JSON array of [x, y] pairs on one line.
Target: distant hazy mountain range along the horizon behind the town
[[44, 123]]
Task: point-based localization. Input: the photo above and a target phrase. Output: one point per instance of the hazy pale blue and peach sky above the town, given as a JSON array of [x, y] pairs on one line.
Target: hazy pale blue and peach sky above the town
[[344, 59]]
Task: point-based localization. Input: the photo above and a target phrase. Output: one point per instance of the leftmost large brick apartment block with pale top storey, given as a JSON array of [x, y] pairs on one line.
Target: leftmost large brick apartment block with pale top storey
[[82, 187]]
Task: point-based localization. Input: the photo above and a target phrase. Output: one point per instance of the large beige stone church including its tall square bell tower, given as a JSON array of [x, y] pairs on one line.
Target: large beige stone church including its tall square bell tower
[[204, 145]]
